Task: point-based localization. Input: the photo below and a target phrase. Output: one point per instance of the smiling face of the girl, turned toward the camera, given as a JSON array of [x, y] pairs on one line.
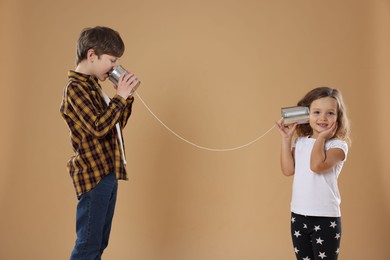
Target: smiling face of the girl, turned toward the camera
[[323, 114]]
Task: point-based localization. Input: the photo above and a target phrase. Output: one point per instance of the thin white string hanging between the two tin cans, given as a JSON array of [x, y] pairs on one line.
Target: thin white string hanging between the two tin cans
[[199, 146]]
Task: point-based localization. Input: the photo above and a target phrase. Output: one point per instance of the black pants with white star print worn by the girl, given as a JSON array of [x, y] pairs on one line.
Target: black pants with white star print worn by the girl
[[315, 237]]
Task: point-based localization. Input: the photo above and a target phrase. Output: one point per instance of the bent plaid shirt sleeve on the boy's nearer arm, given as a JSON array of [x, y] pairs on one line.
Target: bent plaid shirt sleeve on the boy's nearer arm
[[92, 119]]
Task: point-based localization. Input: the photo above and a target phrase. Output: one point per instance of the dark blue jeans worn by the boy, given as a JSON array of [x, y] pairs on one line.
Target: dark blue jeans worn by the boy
[[95, 211]]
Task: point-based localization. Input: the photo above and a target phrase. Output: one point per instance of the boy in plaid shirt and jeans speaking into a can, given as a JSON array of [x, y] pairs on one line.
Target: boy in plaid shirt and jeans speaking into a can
[[98, 160]]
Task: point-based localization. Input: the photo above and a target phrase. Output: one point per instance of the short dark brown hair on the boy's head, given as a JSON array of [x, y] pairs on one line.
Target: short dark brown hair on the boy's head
[[102, 40]]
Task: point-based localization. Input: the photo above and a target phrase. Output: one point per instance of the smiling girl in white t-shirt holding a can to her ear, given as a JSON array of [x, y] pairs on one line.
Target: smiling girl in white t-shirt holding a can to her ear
[[316, 158]]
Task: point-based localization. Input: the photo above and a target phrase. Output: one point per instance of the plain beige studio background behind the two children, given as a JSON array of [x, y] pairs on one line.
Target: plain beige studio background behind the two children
[[217, 72]]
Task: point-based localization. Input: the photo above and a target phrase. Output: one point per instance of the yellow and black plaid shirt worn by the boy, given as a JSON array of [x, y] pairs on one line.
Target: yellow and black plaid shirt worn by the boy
[[92, 131]]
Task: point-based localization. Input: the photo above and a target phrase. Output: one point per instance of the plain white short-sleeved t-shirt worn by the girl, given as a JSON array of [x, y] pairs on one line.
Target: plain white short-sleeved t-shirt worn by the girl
[[316, 194]]
